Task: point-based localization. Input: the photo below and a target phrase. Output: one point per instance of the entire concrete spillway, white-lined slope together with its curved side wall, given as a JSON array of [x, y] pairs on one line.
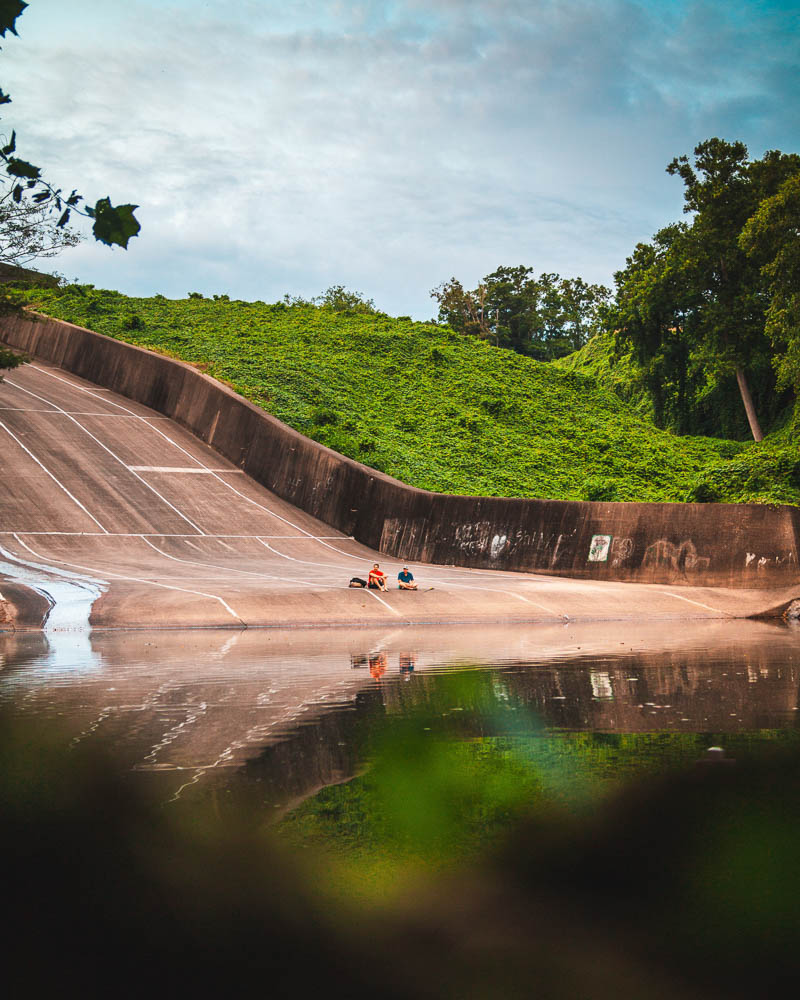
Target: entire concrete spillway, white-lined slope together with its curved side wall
[[158, 497]]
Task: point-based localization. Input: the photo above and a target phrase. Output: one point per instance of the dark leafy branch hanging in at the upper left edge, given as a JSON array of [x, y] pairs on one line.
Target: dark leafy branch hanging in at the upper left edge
[[24, 183]]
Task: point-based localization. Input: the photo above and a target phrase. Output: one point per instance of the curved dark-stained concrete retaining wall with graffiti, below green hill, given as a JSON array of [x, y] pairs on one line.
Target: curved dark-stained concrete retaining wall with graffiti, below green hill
[[738, 545]]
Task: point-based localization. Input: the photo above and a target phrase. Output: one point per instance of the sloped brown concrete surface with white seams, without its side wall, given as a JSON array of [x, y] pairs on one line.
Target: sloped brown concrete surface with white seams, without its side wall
[[104, 495]]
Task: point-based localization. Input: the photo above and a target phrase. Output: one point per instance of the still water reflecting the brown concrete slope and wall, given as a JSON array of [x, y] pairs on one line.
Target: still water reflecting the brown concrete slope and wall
[[189, 713]]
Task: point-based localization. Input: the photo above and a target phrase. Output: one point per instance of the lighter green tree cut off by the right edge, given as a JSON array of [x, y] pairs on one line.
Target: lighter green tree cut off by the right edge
[[772, 238]]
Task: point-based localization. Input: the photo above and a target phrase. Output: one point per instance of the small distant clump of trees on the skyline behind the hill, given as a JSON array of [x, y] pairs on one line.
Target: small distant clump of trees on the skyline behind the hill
[[544, 317]]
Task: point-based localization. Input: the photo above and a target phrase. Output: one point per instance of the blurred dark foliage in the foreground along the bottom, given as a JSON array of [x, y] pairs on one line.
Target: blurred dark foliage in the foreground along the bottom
[[681, 887]]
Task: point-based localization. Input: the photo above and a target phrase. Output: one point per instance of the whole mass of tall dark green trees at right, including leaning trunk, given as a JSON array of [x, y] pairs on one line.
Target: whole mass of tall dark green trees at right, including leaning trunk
[[693, 303]]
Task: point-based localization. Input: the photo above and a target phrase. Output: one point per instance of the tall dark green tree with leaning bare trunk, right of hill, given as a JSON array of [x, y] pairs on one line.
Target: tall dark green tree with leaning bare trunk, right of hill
[[696, 297]]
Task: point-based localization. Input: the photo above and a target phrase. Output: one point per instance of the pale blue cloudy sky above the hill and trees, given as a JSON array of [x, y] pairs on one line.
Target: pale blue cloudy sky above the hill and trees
[[386, 145]]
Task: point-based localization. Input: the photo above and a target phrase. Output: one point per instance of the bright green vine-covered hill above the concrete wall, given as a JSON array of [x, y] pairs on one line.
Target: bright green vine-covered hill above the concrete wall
[[434, 409]]
